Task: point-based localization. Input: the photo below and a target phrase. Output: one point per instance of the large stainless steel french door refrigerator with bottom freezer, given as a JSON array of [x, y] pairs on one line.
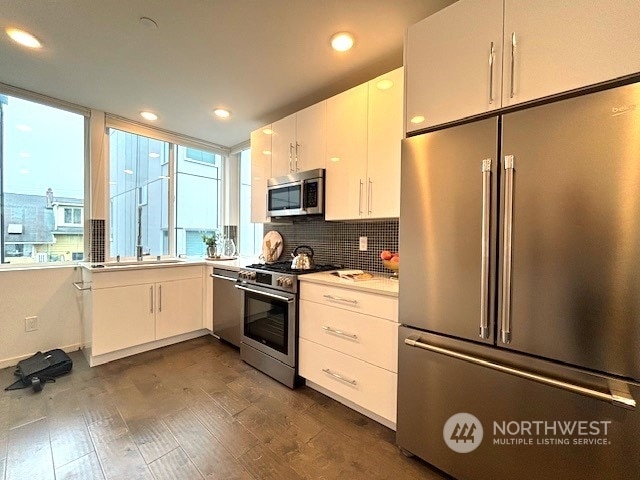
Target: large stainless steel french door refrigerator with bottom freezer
[[519, 350]]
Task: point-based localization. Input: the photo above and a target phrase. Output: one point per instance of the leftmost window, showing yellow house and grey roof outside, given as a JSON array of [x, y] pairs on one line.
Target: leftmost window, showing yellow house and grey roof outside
[[42, 157]]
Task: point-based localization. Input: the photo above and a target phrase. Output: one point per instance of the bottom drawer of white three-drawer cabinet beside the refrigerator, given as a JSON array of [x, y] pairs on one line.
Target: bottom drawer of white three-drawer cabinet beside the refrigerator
[[368, 386]]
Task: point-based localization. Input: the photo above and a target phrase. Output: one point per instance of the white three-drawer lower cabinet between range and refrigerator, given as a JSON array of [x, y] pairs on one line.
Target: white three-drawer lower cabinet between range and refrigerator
[[348, 346]]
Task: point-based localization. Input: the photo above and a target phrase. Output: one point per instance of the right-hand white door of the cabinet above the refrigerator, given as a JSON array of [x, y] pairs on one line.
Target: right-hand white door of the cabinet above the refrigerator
[[561, 46]]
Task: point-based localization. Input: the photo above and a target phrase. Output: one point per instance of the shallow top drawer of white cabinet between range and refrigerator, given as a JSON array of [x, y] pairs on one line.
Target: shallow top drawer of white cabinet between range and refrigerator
[[353, 300]]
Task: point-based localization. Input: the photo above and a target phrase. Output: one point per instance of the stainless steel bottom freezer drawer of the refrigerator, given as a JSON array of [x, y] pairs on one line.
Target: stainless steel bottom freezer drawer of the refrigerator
[[529, 430]]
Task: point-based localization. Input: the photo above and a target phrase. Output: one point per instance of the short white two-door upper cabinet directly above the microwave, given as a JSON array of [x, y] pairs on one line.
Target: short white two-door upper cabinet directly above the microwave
[[299, 141]]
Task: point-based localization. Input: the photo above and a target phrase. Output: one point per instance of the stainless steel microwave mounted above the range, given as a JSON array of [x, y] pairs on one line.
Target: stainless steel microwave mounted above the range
[[296, 194]]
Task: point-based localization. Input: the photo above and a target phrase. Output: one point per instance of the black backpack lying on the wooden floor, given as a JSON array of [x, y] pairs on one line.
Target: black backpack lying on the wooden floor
[[41, 368]]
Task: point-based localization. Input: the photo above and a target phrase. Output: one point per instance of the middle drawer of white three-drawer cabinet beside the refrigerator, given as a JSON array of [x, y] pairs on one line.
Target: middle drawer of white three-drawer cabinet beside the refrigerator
[[368, 338]]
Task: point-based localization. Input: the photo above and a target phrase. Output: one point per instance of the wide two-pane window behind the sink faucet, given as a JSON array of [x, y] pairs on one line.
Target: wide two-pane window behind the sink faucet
[[144, 172]]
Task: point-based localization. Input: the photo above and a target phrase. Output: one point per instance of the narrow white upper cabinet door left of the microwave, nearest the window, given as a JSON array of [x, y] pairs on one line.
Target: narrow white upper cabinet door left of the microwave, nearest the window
[[260, 173]]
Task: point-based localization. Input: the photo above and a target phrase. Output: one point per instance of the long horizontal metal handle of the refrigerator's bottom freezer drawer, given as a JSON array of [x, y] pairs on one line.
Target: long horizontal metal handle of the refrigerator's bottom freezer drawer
[[617, 397]]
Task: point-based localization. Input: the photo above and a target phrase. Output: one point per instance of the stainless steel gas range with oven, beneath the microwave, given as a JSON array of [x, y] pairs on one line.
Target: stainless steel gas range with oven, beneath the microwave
[[269, 339]]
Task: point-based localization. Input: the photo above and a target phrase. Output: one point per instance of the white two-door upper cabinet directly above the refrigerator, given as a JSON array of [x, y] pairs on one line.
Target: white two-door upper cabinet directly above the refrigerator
[[479, 55]]
